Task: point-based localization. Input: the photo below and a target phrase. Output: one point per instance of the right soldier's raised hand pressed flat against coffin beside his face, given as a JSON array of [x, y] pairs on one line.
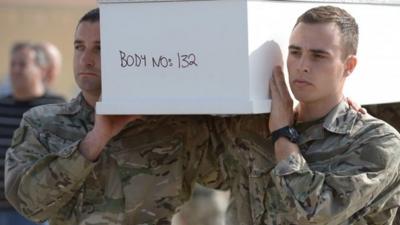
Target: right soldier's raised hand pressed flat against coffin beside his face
[[282, 103]]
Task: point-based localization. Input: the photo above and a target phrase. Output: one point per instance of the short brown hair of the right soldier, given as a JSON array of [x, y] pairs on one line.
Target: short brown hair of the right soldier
[[346, 23]]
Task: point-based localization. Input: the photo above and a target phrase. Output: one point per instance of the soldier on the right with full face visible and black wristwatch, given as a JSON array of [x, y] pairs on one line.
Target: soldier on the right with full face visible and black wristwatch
[[332, 164]]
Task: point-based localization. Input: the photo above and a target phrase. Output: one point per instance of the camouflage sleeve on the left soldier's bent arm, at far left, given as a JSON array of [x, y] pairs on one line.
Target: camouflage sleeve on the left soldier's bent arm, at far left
[[39, 182]]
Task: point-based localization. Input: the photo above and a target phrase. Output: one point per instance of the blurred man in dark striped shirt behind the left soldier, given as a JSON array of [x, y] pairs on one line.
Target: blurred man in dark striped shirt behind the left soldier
[[27, 72]]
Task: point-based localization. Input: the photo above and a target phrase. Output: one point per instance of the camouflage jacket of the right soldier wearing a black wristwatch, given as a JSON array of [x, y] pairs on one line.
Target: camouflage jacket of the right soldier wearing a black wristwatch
[[347, 173]]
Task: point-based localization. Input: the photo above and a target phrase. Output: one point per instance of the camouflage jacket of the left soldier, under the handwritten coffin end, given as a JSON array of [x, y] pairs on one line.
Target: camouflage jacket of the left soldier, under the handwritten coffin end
[[143, 174]]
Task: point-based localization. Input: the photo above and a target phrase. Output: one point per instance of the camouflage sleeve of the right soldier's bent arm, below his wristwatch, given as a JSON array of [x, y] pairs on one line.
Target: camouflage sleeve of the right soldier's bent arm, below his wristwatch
[[362, 176]]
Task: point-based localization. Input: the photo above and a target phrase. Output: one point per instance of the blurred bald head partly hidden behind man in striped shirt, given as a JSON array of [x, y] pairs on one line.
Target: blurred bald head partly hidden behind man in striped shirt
[[55, 62]]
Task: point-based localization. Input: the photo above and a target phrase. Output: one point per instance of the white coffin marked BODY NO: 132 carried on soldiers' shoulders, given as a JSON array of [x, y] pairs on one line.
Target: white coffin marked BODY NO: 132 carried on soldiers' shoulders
[[216, 56]]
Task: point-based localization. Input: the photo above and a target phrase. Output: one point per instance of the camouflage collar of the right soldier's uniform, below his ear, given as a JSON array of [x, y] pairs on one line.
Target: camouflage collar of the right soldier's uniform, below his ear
[[340, 119]]
